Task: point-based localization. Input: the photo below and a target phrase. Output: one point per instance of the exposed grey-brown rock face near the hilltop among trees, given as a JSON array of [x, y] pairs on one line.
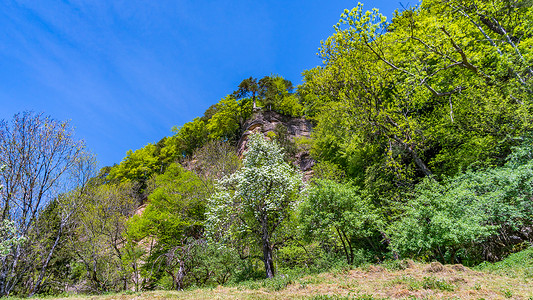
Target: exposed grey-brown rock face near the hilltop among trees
[[267, 121]]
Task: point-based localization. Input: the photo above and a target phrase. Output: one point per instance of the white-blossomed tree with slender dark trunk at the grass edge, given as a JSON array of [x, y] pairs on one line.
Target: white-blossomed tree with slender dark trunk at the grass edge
[[255, 201]]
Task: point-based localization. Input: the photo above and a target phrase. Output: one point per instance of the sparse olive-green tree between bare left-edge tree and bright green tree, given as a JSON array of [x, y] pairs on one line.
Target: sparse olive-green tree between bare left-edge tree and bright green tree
[[98, 240]]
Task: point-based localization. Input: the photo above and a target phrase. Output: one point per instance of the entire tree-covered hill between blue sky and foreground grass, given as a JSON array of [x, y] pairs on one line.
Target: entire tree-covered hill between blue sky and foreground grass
[[421, 147]]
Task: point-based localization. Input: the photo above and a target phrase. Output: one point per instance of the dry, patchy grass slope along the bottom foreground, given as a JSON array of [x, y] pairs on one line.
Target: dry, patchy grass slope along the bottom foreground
[[512, 278]]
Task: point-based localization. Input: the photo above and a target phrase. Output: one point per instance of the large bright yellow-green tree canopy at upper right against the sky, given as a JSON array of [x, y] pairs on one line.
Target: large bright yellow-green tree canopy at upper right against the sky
[[419, 95]]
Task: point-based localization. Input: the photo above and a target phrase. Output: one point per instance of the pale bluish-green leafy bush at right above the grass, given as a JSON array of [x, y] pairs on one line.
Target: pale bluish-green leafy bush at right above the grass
[[479, 207]]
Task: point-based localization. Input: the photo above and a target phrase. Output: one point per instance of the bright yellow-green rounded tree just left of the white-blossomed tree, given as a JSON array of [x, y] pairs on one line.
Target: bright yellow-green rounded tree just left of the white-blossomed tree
[[173, 217]]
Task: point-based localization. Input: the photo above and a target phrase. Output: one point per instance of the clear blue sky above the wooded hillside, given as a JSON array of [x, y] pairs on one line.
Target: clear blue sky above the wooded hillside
[[125, 72]]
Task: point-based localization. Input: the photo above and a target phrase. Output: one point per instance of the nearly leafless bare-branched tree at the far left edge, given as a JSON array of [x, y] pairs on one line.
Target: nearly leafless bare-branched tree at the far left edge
[[43, 160]]
